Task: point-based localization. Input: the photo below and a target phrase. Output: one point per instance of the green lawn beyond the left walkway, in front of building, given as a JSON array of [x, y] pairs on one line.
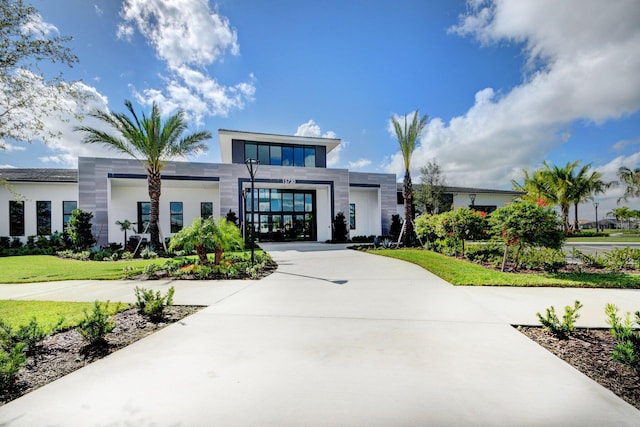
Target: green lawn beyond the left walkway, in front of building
[[47, 268]]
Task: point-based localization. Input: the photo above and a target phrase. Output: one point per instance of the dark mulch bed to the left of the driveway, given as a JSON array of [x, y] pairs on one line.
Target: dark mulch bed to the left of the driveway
[[64, 352]]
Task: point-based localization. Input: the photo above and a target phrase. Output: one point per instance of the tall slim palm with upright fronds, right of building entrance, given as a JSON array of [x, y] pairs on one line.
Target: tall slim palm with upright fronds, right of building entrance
[[407, 138]]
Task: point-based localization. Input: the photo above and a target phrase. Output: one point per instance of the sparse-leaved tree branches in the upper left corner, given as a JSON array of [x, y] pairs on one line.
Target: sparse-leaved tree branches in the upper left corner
[[27, 96]]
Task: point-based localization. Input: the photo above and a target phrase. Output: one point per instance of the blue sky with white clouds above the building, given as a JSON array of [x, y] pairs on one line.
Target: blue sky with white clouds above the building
[[506, 84]]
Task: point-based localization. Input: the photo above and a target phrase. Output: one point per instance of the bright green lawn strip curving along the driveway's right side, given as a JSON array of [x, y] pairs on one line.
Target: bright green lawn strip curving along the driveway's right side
[[464, 273]]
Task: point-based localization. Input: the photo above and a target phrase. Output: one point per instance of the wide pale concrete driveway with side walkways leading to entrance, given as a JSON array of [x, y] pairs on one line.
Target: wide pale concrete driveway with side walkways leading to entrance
[[334, 337]]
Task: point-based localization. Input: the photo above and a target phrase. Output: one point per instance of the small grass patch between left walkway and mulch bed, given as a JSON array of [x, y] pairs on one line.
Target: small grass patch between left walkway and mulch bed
[[48, 313]]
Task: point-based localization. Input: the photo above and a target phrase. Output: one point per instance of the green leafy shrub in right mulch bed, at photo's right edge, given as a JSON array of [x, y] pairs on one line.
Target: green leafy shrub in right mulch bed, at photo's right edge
[[627, 348]]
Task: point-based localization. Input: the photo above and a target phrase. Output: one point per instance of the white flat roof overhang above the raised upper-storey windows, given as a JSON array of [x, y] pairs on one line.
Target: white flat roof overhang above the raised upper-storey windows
[[226, 136]]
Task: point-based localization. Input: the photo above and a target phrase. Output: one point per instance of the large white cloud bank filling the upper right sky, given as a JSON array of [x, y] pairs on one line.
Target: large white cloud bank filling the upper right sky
[[582, 63]]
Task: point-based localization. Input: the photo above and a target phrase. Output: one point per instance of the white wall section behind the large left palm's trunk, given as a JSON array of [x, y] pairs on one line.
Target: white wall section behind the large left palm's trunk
[[124, 205]]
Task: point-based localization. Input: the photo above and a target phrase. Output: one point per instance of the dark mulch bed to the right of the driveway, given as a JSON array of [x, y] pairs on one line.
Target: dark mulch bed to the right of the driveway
[[589, 351]]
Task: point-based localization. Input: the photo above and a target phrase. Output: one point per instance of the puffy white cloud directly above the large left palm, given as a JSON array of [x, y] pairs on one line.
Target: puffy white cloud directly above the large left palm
[[188, 37]]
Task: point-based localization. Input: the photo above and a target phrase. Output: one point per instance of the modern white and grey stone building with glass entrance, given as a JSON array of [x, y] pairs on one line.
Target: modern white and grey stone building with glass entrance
[[296, 195]]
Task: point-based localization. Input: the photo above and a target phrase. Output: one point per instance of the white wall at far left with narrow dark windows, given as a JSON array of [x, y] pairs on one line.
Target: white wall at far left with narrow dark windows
[[30, 193]]
